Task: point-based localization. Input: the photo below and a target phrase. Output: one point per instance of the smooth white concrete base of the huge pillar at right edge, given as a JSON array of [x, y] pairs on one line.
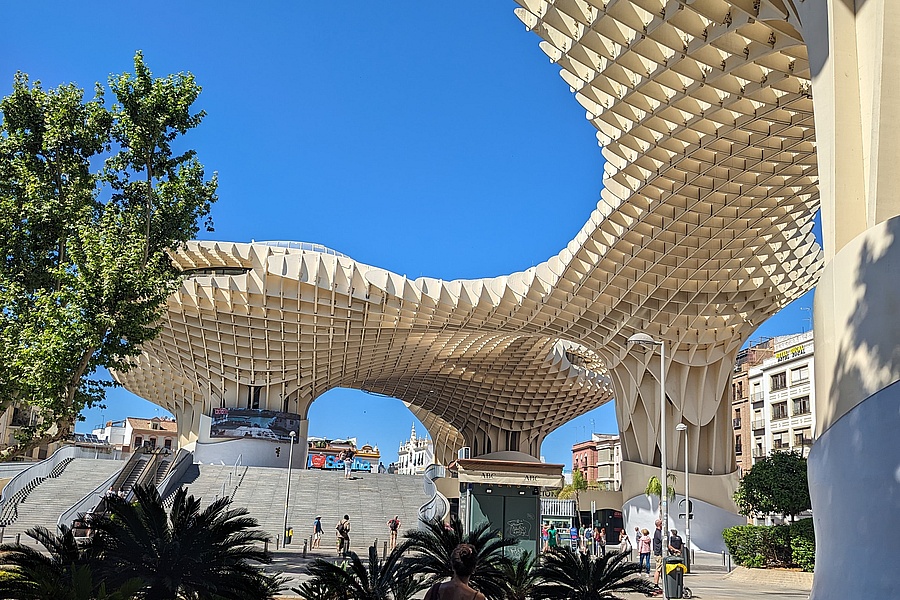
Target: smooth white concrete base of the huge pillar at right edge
[[854, 466]]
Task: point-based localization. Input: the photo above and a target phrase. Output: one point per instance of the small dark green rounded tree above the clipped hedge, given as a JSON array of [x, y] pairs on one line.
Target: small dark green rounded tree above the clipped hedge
[[776, 484]]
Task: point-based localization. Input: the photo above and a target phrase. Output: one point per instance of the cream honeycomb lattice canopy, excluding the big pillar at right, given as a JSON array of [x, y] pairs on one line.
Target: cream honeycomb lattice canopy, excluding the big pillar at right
[[703, 230]]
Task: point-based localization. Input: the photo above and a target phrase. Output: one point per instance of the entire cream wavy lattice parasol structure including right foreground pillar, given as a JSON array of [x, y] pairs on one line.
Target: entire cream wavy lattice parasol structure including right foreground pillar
[[726, 125]]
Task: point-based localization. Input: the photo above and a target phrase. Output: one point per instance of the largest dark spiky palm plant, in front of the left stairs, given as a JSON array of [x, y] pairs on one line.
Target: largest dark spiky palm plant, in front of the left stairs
[[187, 553]]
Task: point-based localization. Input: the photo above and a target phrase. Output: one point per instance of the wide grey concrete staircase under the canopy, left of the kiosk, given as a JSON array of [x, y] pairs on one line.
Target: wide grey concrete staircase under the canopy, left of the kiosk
[[370, 499]]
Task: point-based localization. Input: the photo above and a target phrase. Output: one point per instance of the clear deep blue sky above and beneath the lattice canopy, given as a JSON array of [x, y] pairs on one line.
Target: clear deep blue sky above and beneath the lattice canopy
[[415, 136]]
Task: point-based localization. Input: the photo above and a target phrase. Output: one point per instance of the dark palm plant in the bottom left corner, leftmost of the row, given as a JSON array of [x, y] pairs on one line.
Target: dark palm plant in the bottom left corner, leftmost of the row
[[62, 572]]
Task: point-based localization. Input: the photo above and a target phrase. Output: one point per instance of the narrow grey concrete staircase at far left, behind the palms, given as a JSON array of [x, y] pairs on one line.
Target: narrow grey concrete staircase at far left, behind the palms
[[53, 496]]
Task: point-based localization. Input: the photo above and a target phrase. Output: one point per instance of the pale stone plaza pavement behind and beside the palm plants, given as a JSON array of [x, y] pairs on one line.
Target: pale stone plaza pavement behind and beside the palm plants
[[709, 581]]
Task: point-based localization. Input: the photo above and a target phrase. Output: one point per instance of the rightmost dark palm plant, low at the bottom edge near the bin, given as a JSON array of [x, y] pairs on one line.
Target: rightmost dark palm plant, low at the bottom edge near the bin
[[570, 575]]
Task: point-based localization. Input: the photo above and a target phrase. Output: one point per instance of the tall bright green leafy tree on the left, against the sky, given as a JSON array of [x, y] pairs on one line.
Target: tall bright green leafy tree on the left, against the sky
[[85, 268]]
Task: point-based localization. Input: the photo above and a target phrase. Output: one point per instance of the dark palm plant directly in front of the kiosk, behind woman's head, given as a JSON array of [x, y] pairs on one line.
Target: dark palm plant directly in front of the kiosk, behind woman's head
[[430, 548]]
